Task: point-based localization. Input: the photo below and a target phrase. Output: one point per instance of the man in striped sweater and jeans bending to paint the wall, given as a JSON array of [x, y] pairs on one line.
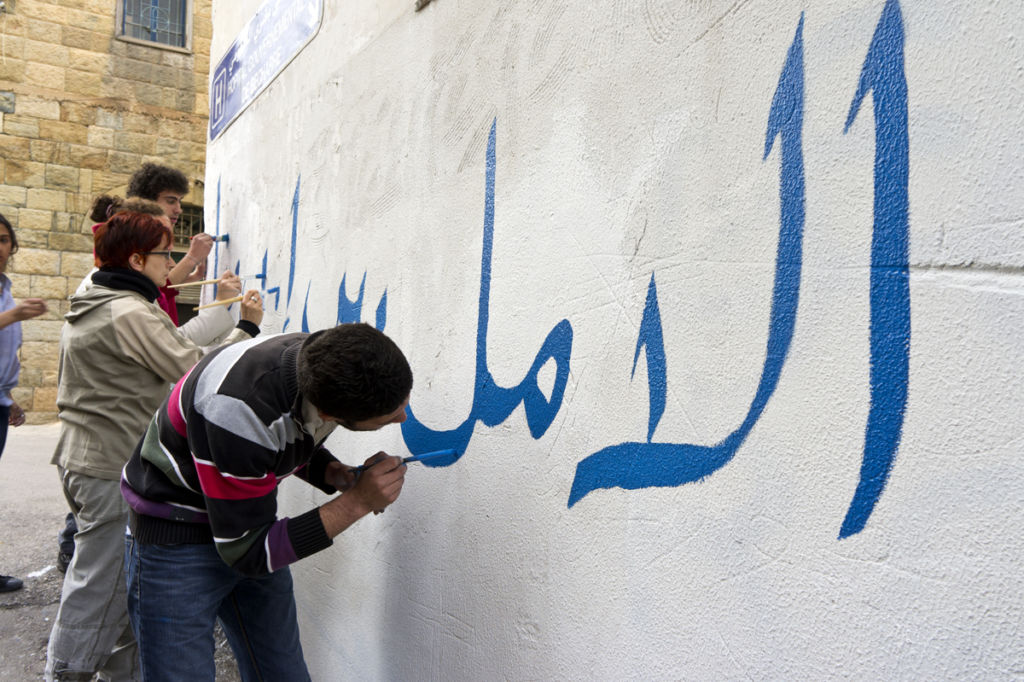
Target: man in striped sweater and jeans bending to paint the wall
[[206, 541]]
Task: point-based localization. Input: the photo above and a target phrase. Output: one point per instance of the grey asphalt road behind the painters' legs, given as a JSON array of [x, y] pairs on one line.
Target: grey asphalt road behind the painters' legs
[[32, 511]]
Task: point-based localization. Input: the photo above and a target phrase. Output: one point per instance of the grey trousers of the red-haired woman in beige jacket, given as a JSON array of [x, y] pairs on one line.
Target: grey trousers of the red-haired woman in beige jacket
[[92, 633]]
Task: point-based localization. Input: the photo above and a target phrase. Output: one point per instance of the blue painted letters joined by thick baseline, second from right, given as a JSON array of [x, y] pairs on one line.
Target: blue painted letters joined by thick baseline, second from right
[[638, 465]]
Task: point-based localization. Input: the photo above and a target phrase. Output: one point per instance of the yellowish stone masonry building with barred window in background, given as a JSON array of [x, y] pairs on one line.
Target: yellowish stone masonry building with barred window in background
[[90, 91]]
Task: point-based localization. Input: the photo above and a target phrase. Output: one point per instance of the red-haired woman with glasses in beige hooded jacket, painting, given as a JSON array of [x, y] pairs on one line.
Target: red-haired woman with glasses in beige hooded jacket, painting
[[119, 354]]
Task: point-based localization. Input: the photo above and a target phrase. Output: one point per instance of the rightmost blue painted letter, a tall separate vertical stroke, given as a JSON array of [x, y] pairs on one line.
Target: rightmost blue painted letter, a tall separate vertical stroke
[[884, 75]]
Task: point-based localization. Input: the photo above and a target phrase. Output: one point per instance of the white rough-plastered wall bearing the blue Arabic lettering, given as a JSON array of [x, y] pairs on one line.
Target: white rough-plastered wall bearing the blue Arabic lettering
[[630, 143]]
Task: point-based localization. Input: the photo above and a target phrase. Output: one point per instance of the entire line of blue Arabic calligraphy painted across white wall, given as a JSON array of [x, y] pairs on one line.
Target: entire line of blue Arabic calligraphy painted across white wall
[[638, 465]]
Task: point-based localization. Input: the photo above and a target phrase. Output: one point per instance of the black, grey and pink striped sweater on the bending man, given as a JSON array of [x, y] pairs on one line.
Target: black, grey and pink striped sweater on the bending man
[[209, 465]]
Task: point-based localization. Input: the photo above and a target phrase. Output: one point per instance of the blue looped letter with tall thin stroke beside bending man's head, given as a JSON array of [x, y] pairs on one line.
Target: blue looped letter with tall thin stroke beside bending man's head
[[493, 404]]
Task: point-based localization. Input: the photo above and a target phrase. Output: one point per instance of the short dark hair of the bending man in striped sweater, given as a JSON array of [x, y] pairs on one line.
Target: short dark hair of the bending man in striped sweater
[[354, 372]]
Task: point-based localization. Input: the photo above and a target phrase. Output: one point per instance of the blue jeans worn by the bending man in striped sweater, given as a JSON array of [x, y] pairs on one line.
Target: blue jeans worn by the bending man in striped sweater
[[176, 594]]
